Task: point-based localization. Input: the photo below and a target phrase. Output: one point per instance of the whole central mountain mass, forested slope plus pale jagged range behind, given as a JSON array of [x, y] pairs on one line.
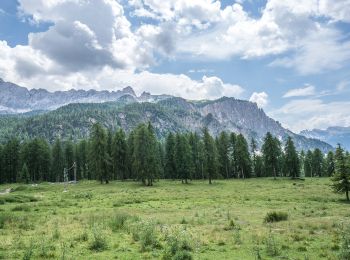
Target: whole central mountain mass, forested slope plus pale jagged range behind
[[50, 117]]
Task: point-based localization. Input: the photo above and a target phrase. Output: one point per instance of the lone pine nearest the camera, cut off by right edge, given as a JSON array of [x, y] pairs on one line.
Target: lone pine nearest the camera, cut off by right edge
[[341, 178]]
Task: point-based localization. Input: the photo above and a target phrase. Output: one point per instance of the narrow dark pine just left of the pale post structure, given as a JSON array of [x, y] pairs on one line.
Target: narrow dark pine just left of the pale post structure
[[57, 161]]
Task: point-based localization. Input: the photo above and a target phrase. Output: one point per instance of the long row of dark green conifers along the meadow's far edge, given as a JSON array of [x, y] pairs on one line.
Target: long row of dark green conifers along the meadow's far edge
[[108, 155]]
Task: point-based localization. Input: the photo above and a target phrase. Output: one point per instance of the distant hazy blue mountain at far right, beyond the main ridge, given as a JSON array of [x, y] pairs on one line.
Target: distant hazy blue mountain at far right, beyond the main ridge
[[332, 135]]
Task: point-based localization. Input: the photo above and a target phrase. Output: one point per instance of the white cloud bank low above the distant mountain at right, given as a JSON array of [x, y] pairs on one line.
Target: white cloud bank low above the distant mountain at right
[[311, 113]]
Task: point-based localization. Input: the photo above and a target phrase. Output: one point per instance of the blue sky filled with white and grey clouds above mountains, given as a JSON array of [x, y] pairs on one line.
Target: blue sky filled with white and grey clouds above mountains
[[291, 57]]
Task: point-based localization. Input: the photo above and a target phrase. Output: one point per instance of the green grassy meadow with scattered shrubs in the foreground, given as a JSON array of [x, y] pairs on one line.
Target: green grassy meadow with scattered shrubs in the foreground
[[124, 220]]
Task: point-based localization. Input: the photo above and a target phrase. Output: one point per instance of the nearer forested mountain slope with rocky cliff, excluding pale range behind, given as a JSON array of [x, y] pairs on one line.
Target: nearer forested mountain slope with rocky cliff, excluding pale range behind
[[166, 114]]
